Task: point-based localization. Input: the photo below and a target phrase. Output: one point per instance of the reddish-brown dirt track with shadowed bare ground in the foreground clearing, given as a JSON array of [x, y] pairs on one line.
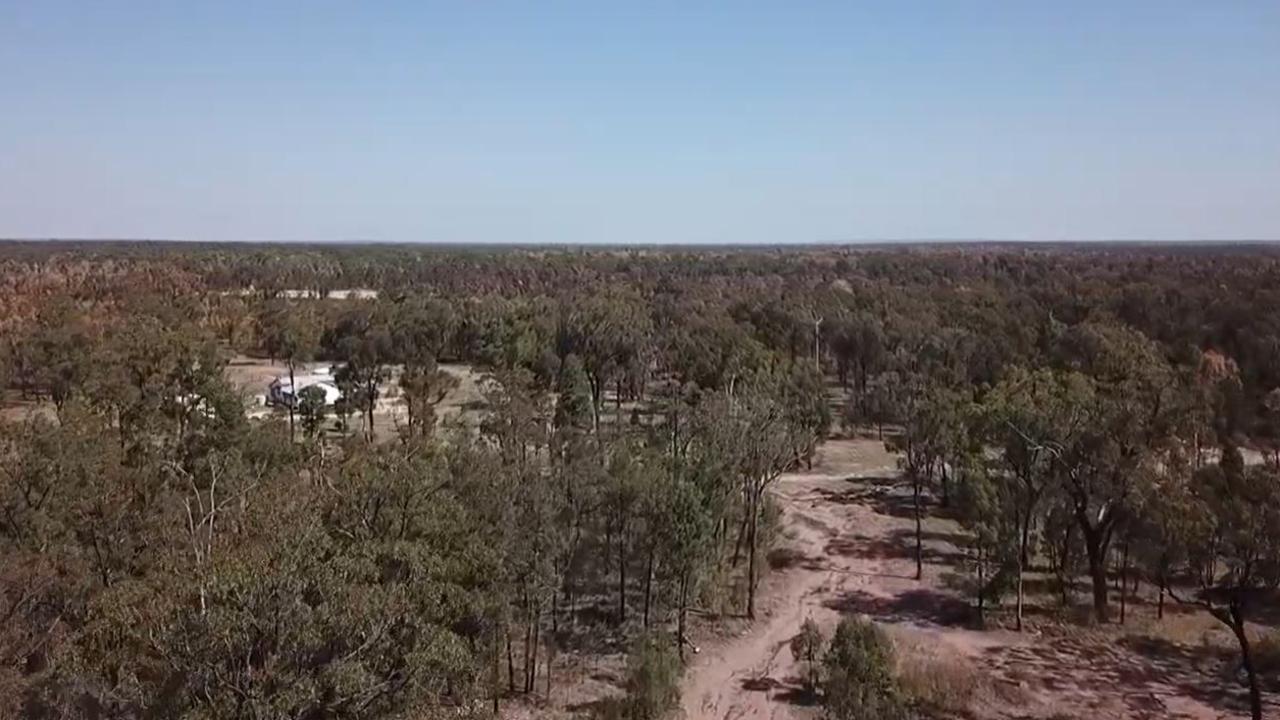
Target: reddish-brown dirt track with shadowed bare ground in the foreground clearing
[[847, 549]]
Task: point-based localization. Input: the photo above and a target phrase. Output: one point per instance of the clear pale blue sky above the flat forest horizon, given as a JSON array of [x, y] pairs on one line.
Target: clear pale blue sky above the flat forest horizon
[[641, 122]]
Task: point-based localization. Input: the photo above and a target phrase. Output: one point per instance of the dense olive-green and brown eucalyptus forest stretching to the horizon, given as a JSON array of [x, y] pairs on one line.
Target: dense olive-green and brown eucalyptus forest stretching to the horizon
[[1110, 414]]
